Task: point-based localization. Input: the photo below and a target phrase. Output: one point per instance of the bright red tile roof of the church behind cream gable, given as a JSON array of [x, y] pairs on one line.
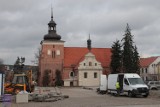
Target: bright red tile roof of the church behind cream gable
[[74, 55]]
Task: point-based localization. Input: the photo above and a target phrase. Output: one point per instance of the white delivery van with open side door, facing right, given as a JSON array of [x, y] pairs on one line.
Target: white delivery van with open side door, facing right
[[130, 84]]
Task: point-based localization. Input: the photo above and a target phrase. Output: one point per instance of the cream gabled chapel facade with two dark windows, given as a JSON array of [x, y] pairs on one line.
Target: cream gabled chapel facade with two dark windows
[[89, 71]]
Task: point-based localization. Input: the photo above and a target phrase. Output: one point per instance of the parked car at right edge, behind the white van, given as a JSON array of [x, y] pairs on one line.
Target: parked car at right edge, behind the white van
[[154, 85]]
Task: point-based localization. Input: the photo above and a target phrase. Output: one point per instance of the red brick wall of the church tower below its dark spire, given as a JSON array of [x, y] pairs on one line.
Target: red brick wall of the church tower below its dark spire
[[52, 56]]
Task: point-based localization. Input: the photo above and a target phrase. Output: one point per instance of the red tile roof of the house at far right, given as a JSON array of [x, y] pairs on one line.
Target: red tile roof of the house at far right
[[145, 62]]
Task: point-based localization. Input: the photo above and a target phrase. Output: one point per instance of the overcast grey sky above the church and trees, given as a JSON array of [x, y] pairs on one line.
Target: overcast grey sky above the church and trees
[[23, 23]]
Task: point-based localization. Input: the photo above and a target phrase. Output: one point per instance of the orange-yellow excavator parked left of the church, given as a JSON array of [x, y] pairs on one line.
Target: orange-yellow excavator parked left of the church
[[20, 82]]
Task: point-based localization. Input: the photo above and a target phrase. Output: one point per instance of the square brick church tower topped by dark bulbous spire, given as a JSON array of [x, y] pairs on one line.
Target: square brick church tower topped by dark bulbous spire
[[52, 53]]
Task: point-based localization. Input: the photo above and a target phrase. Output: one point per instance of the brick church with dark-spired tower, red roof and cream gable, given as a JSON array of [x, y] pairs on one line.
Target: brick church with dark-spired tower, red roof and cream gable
[[78, 66]]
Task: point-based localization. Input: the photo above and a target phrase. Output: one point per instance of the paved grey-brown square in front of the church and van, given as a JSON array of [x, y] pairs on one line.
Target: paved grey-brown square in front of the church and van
[[79, 97]]
